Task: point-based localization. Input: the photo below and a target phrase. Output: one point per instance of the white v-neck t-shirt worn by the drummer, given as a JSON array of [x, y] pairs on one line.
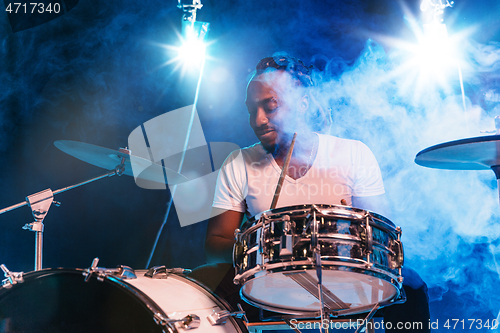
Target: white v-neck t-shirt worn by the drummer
[[342, 169]]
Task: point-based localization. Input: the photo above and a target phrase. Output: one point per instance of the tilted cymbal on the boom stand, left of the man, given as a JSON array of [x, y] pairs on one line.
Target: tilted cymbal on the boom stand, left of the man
[[108, 159]]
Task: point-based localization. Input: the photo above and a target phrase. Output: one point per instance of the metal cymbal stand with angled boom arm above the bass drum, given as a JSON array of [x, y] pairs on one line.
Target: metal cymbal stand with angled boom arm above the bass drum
[[40, 203]]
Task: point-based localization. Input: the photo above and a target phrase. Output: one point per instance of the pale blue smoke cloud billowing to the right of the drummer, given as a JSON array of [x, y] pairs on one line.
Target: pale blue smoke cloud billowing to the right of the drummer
[[449, 218]]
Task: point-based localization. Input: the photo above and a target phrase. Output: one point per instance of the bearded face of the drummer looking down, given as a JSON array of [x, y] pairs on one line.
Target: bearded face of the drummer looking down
[[272, 101]]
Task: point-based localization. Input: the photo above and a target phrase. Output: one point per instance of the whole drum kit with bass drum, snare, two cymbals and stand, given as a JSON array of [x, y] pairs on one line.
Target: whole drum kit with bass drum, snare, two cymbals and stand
[[307, 261]]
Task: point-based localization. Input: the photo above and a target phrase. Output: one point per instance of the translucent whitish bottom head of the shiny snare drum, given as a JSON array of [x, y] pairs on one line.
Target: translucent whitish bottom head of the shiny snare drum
[[278, 292]]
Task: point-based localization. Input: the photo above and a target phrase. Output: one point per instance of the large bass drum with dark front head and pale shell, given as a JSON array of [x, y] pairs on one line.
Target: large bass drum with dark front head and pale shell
[[64, 300]]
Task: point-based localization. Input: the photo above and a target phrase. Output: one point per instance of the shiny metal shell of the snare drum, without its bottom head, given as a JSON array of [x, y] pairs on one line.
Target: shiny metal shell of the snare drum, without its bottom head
[[341, 237]]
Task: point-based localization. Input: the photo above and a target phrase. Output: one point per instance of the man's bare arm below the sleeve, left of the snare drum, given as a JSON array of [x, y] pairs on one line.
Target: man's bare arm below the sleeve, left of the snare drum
[[219, 239]]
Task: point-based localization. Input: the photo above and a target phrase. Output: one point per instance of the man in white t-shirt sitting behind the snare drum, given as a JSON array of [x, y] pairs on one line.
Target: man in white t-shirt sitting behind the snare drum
[[323, 169]]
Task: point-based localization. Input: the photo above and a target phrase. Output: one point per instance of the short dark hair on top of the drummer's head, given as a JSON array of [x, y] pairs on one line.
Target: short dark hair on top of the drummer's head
[[289, 64]]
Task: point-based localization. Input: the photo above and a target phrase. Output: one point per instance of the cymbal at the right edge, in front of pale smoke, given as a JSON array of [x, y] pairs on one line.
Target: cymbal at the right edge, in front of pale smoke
[[478, 153]]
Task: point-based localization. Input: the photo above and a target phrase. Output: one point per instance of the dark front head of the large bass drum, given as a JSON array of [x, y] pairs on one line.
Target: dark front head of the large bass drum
[[59, 300]]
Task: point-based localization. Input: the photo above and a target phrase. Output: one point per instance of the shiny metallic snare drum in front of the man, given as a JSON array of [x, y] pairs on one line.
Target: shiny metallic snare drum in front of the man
[[359, 253]]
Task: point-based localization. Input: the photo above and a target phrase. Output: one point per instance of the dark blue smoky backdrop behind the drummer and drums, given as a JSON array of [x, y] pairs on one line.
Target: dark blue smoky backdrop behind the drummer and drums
[[97, 72]]
